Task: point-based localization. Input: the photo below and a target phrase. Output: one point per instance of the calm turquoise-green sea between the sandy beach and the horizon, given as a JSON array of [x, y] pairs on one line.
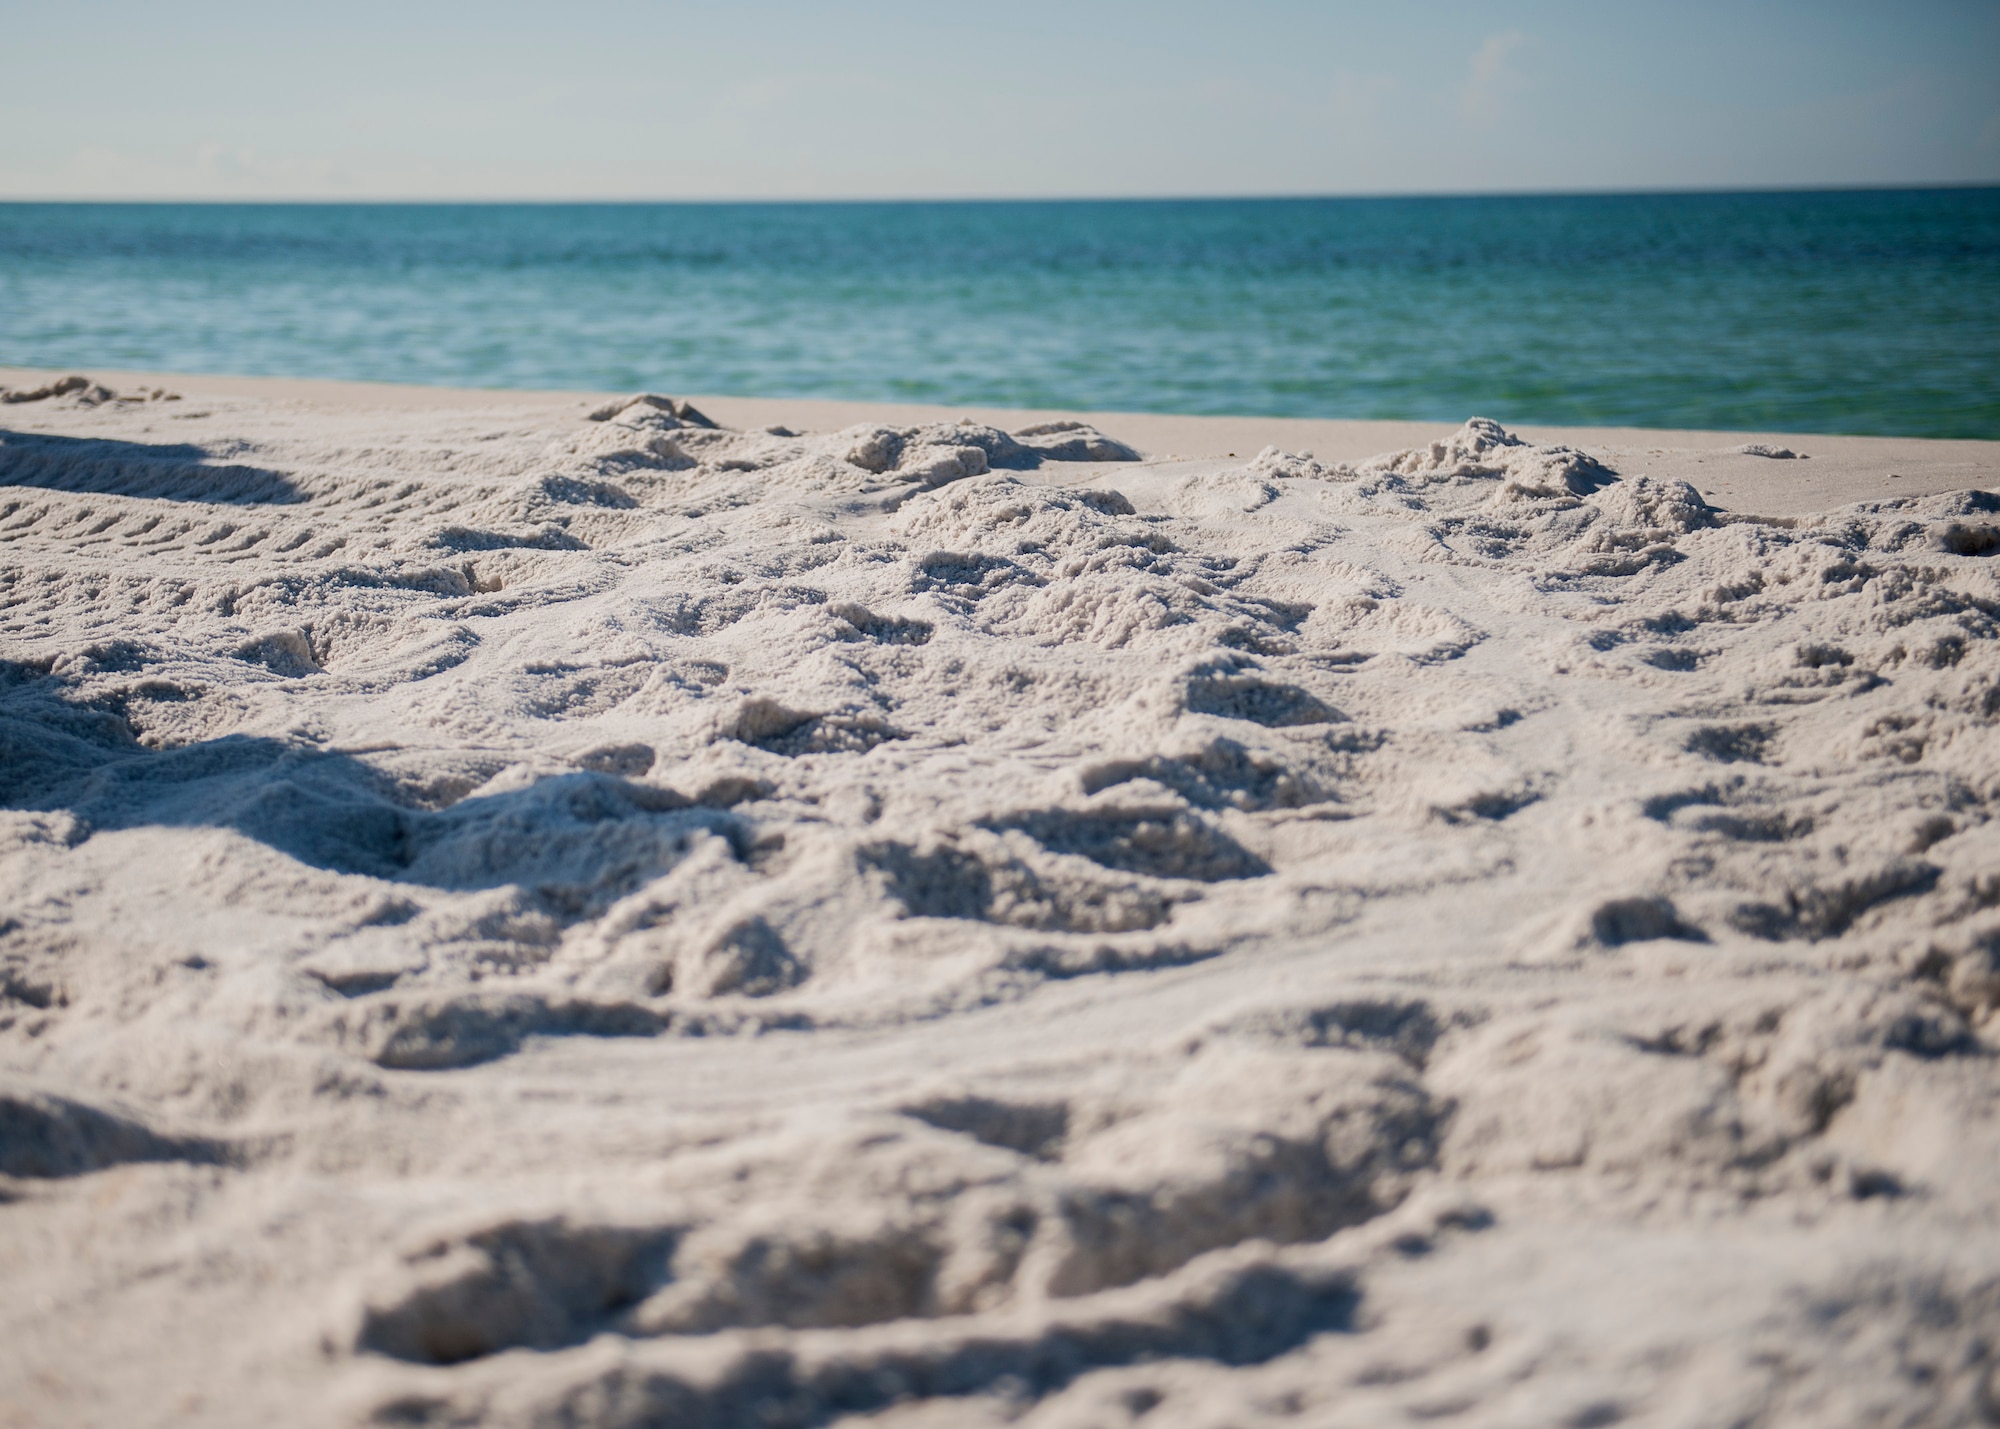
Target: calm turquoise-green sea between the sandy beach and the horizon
[[1835, 313]]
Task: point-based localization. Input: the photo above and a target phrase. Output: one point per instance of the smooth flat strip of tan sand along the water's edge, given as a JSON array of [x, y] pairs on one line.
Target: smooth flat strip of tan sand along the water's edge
[[1837, 471]]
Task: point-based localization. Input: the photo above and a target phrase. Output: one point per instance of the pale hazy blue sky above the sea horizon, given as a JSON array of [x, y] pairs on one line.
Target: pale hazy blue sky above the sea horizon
[[1019, 99]]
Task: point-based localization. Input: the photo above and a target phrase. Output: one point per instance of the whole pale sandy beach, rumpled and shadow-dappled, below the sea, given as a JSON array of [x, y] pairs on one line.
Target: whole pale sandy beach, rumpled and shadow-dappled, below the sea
[[547, 922]]
